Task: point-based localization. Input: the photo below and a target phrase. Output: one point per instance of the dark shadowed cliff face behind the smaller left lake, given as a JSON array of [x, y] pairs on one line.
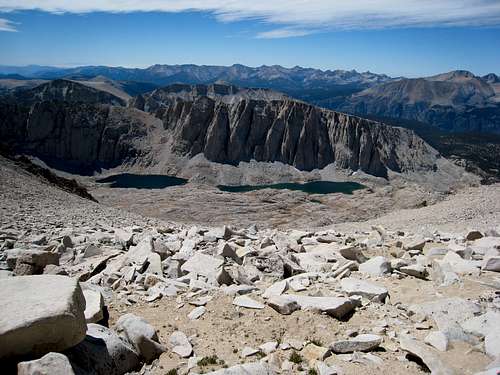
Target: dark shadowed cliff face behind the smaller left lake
[[84, 136]]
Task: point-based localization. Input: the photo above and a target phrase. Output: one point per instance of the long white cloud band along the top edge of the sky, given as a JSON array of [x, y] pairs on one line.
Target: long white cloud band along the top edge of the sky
[[297, 17]]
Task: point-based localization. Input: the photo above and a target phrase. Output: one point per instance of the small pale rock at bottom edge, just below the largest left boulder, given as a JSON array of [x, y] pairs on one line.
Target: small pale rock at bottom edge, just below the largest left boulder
[[49, 364]]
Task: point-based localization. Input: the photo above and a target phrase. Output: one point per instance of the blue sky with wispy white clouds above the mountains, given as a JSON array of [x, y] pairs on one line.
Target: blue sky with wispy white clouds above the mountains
[[412, 42]]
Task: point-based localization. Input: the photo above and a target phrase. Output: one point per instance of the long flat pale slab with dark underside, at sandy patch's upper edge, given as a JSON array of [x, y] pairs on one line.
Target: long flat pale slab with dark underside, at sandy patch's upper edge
[[337, 307]]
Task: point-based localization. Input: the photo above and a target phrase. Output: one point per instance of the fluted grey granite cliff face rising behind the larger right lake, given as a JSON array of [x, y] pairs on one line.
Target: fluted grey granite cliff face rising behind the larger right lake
[[231, 129]]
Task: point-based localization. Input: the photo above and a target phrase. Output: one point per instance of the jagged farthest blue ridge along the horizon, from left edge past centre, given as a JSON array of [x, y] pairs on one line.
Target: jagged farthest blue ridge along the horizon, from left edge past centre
[[275, 77]]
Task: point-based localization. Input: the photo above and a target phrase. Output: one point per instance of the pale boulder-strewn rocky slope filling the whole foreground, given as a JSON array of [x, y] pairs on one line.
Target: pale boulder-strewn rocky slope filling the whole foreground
[[88, 289]]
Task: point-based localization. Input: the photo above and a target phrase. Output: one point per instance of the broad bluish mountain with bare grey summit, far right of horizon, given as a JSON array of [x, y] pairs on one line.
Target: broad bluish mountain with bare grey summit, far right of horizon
[[457, 101]]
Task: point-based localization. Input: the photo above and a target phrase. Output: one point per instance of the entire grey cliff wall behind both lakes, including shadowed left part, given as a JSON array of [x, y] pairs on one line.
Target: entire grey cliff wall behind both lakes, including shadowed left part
[[226, 124]]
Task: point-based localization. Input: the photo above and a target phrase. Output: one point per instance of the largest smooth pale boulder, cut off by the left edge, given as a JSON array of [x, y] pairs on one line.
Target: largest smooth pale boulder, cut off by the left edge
[[40, 314]]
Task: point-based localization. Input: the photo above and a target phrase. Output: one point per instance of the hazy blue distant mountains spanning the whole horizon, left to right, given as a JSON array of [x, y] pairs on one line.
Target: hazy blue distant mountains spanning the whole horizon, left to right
[[457, 101]]
